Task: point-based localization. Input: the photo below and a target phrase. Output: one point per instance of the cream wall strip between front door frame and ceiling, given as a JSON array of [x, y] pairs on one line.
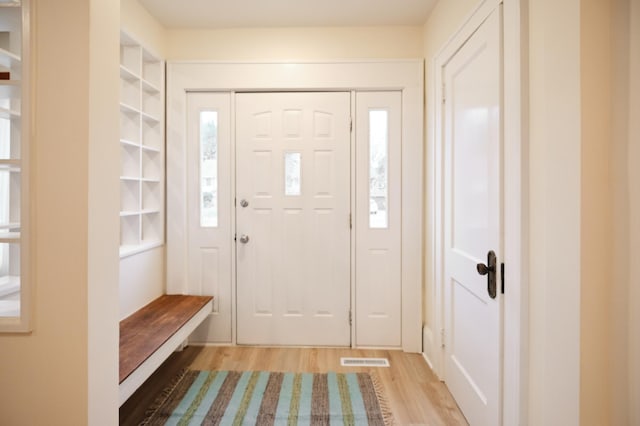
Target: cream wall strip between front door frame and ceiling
[[300, 44]]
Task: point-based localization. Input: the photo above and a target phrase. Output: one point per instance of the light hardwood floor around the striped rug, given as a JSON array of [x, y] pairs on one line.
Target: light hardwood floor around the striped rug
[[415, 395]]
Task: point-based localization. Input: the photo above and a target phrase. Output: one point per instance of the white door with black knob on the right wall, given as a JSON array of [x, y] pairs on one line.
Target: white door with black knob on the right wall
[[473, 223]]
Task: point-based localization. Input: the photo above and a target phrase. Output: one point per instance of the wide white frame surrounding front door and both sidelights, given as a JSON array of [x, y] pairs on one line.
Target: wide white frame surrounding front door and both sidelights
[[404, 75]]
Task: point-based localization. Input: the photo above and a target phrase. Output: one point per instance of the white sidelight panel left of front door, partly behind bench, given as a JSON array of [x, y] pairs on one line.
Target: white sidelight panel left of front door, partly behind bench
[[209, 210]]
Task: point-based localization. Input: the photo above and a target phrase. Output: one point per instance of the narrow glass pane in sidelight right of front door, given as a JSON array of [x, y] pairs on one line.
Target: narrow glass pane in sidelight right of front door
[[378, 168]]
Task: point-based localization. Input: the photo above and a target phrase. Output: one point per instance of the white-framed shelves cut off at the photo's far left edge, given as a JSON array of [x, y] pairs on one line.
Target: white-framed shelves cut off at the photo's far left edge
[[14, 166]]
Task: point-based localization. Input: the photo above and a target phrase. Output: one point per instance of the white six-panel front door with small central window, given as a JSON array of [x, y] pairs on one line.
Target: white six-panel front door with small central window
[[293, 230]]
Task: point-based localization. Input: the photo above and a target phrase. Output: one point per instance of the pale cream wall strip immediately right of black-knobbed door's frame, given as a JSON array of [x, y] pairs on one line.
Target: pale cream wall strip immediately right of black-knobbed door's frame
[[555, 211]]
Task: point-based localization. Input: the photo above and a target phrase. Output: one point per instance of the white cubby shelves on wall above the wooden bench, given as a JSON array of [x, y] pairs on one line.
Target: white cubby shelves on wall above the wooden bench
[[141, 147]]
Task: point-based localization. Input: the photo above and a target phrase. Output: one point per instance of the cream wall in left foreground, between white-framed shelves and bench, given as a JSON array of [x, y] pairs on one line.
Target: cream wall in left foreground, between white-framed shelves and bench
[[47, 376]]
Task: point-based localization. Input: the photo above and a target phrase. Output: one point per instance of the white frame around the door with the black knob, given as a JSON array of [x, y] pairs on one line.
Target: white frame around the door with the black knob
[[515, 352]]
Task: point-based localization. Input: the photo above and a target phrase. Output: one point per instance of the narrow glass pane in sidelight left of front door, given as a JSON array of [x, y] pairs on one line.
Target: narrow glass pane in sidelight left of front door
[[208, 169]]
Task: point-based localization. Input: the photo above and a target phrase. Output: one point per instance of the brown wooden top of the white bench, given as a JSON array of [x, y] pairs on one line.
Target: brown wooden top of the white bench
[[142, 333]]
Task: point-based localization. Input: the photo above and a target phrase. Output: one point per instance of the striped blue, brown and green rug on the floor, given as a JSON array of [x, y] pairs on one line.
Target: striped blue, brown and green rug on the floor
[[267, 398]]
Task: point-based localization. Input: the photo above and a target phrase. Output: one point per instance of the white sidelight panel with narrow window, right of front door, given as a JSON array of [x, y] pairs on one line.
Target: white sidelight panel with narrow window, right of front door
[[378, 220]]
